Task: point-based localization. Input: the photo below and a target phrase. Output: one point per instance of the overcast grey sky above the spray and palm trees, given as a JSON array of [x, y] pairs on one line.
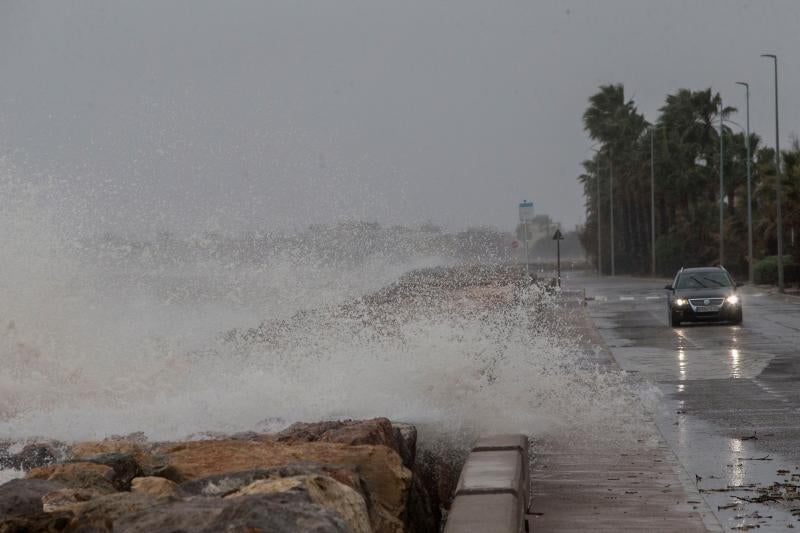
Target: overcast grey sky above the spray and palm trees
[[197, 114]]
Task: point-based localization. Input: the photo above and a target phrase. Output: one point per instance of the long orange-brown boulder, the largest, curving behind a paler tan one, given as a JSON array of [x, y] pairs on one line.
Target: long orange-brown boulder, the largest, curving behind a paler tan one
[[387, 480]]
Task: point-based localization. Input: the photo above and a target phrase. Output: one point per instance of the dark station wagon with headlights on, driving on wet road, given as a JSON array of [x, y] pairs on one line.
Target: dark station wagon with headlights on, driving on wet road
[[703, 294]]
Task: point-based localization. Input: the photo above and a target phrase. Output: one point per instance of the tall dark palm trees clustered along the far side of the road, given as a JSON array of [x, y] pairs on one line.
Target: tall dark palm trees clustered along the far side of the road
[[687, 193]]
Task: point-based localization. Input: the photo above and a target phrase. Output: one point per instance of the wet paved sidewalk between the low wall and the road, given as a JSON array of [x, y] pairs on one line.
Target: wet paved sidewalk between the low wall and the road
[[597, 487]]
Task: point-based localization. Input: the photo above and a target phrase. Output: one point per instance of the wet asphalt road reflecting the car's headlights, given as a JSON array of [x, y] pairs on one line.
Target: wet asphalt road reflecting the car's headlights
[[729, 406]]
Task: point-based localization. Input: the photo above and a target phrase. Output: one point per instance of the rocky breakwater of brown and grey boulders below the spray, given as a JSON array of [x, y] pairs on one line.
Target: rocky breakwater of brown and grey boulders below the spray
[[343, 476]]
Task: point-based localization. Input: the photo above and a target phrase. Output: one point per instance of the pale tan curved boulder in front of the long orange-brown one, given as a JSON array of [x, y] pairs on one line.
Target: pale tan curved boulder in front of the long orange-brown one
[[322, 490]]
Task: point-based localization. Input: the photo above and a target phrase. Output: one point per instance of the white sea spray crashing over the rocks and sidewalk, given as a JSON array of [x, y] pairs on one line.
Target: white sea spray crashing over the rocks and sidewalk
[[180, 335]]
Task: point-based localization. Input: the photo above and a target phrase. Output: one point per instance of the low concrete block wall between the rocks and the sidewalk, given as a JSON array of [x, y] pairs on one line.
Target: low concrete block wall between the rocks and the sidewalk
[[493, 490]]
